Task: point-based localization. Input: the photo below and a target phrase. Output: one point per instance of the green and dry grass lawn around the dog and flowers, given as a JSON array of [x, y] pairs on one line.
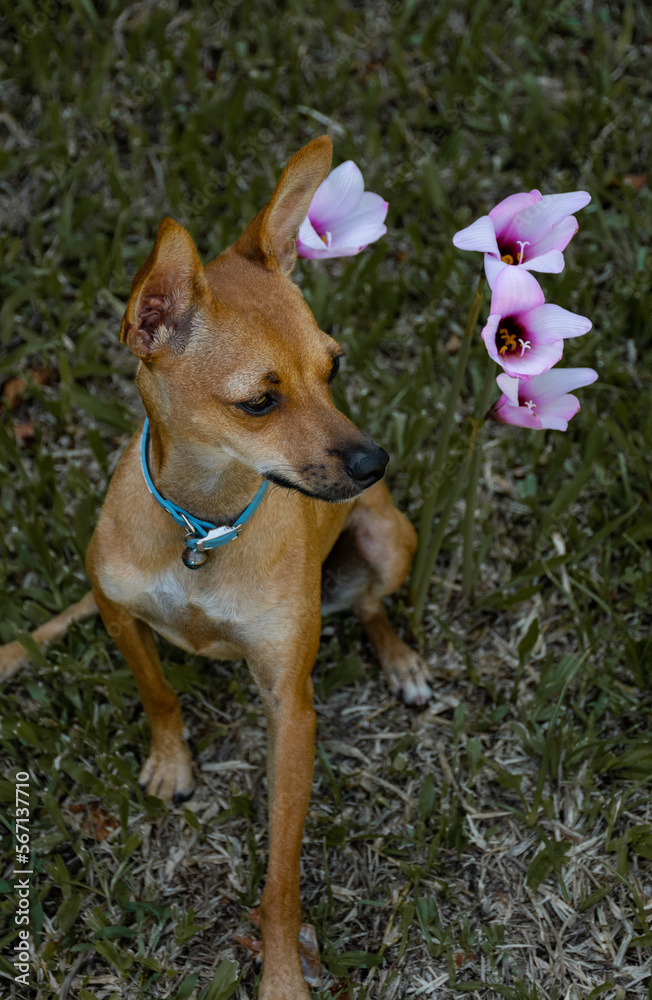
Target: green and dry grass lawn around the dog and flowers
[[499, 844]]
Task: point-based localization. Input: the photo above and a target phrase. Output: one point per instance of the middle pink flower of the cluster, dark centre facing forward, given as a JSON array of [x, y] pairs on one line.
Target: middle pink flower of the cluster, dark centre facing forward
[[523, 333]]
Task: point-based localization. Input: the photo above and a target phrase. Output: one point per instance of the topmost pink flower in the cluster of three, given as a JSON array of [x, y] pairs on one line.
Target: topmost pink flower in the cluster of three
[[528, 228]]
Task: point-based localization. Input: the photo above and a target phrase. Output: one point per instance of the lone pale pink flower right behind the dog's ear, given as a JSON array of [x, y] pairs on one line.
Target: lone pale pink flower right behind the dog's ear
[[343, 218]]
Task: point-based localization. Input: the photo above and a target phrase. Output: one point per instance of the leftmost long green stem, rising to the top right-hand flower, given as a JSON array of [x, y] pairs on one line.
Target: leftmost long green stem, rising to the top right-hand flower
[[419, 577]]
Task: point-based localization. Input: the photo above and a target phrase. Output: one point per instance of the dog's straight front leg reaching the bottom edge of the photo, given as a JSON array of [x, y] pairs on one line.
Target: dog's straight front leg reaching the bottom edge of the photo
[[286, 691]]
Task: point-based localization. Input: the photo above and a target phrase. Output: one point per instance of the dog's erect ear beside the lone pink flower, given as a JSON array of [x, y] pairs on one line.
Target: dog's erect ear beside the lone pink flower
[[271, 237]]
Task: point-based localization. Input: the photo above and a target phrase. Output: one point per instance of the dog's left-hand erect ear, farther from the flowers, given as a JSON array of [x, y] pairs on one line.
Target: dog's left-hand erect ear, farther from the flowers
[[164, 295]]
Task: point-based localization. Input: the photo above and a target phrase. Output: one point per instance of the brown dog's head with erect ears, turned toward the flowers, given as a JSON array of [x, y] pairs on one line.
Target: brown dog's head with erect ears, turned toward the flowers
[[232, 357]]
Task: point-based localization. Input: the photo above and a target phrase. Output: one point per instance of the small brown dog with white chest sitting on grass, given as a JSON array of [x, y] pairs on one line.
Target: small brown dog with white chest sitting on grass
[[235, 377]]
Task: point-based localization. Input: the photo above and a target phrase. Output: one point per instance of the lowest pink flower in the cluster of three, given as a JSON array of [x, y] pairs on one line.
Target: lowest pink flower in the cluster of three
[[543, 401]]
